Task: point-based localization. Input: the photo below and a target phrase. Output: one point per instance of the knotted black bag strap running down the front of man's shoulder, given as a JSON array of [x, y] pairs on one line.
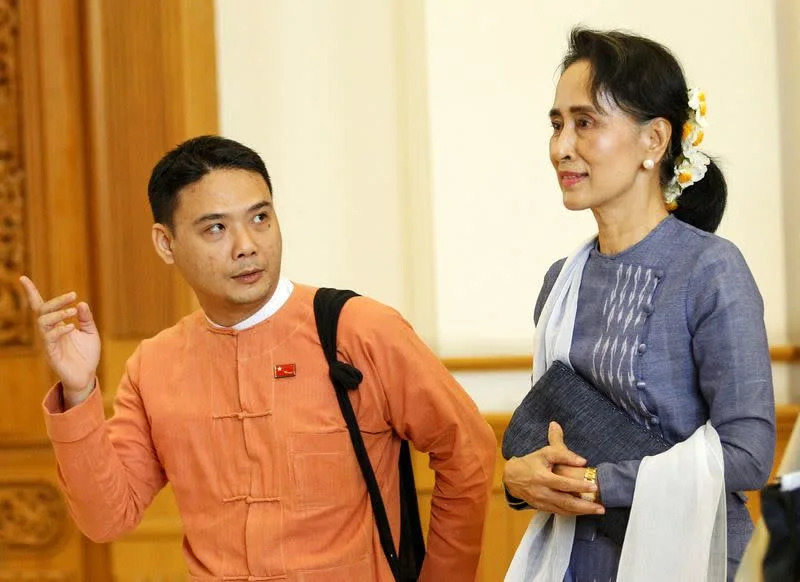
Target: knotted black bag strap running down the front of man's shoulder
[[328, 305]]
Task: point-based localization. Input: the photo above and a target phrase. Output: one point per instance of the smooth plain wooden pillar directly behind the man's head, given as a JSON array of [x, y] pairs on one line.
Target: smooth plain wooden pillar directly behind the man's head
[[152, 84]]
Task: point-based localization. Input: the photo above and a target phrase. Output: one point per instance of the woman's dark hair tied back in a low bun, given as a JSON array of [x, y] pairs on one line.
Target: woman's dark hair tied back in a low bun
[[644, 79]]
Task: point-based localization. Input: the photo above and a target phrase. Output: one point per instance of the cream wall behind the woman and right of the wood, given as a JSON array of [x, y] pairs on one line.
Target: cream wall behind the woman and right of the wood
[[408, 142]]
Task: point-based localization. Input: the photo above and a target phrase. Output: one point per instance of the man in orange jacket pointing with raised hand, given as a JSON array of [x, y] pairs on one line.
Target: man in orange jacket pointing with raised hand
[[233, 405]]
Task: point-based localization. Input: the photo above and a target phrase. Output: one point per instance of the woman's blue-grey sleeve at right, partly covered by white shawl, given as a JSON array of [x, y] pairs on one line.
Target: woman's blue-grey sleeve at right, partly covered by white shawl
[[725, 313]]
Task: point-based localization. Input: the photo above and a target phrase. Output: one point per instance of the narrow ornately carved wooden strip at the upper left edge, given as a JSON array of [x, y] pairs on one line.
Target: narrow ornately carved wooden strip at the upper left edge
[[14, 320]]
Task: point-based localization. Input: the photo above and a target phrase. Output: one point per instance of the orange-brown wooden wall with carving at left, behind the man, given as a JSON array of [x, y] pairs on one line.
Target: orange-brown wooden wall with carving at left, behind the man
[[92, 93]]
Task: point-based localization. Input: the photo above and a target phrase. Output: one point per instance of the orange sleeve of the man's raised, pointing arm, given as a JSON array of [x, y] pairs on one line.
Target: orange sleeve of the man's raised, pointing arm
[[108, 470]]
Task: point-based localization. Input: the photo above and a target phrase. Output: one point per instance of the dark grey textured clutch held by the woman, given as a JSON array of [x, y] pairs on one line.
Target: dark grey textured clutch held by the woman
[[594, 427]]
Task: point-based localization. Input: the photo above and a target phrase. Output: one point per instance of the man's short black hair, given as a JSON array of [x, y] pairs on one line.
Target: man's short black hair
[[189, 162]]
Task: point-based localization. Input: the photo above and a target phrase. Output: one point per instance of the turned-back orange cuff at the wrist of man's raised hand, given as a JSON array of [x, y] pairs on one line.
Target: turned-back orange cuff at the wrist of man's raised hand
[[67, 426]]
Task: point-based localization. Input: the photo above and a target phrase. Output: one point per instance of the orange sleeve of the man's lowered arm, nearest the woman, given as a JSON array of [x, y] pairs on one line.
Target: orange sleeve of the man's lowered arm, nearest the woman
[[428, 407]]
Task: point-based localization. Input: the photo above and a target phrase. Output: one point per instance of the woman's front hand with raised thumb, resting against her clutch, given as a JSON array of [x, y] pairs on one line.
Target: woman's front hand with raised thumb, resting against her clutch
[[551, 479]]
